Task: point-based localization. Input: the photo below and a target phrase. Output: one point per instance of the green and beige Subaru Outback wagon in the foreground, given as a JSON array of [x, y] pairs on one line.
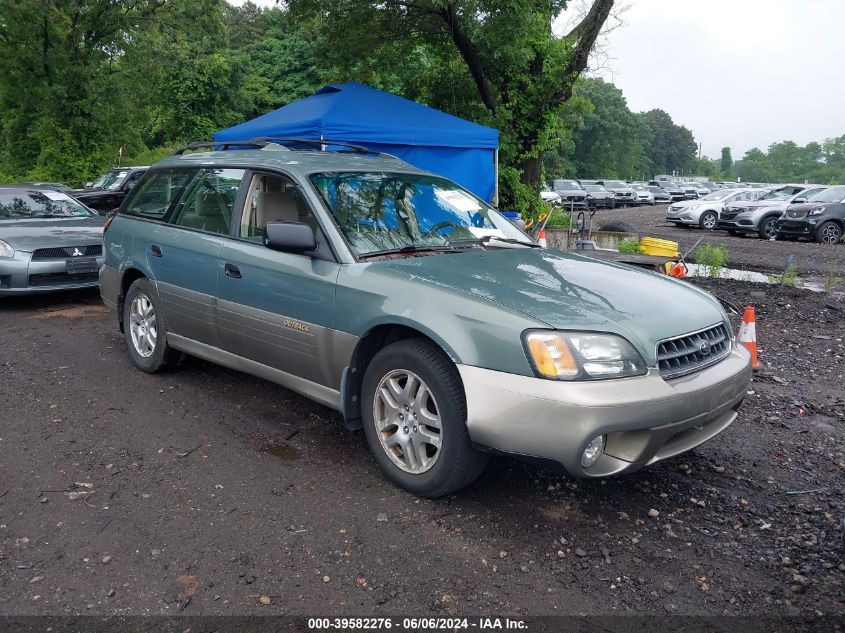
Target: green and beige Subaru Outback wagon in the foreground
[[418, 312]]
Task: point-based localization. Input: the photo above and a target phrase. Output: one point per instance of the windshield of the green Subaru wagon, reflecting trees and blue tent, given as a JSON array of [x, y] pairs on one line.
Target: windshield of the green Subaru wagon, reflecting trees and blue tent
[[396, 212]]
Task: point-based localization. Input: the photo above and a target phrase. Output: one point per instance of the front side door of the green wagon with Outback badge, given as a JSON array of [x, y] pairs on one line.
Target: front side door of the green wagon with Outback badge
[[277, 308]]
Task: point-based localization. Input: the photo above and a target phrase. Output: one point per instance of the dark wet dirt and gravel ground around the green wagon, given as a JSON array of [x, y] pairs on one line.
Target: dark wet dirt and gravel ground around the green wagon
[[200, 491]]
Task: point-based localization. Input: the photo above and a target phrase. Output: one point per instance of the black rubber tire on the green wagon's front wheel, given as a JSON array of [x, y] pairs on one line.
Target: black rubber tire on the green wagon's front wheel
[[458, 463]]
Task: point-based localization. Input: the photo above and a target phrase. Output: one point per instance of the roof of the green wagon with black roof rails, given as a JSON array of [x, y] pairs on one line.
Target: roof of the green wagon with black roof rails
[[301, 162]]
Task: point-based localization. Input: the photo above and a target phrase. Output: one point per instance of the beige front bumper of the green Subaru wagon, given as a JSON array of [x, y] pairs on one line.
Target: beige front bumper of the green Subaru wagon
[[646, 419]]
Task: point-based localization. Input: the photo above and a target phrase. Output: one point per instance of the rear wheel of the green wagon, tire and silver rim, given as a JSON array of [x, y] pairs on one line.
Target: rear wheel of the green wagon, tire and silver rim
[[144, 331]]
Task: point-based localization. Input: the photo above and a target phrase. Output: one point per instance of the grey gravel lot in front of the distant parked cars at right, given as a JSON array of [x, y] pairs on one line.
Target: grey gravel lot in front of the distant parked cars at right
[[748, 253]]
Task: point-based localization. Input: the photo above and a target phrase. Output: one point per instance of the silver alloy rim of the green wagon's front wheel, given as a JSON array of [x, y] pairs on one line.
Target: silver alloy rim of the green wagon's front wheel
[[407, 421]]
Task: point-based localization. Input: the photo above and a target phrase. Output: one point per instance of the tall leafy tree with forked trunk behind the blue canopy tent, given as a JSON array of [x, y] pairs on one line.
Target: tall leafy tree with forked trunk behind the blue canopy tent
[[521, 72]]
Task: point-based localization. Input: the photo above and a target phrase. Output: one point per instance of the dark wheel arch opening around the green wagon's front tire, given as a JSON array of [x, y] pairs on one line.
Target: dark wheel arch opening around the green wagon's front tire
[[368, 346]]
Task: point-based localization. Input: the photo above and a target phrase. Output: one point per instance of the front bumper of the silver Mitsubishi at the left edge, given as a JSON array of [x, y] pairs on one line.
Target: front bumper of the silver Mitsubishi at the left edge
[[22, 275]]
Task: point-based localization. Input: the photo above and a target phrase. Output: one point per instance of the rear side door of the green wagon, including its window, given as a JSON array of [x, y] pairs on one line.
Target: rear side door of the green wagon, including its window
[[183, 253]]
